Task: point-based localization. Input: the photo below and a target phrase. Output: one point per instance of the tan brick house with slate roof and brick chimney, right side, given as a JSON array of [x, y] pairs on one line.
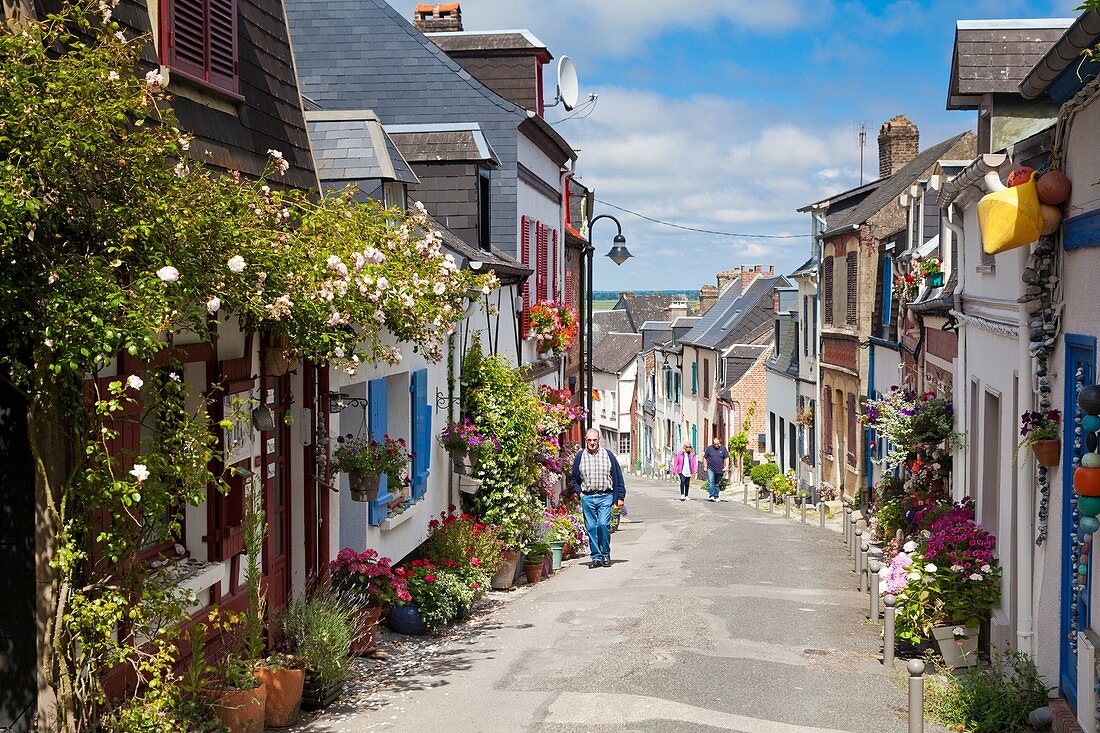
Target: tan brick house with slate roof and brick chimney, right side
[[852, 231]]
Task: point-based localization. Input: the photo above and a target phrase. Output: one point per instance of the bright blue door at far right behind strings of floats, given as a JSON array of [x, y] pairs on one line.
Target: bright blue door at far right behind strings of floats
[[1081, 371]]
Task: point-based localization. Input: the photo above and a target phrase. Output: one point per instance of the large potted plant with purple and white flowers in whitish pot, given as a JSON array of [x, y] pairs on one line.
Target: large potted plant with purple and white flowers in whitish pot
[[947, 584]]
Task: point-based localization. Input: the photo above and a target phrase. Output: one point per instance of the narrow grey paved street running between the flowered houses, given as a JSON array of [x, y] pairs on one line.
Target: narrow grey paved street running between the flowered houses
[[713, 617]]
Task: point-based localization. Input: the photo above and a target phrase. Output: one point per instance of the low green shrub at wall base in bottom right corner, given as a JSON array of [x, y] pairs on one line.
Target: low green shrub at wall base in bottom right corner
[[994, 698]]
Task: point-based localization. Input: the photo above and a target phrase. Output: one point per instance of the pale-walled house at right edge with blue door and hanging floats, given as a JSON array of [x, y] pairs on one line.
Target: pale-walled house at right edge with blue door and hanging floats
[[1027, 338]]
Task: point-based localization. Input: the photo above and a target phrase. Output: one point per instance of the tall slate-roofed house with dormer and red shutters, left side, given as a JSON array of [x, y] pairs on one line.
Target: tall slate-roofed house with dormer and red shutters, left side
[[498, 163]]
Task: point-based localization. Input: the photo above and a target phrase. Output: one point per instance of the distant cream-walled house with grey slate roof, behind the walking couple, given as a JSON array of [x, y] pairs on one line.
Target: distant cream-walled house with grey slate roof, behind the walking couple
[[716, 400]]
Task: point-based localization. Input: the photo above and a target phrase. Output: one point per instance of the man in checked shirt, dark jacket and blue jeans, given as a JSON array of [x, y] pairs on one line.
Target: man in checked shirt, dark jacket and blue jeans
[[599, 477]]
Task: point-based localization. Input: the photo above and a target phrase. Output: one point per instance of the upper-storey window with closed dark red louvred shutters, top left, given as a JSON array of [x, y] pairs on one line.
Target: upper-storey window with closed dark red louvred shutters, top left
[[200, 41]]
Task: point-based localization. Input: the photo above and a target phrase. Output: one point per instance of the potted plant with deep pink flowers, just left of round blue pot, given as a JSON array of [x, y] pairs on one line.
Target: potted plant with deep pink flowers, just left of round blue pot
[[370, 584]]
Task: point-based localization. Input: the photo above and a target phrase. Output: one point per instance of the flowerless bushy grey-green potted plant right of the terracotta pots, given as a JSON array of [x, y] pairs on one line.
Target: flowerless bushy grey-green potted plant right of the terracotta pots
[[320, 629]]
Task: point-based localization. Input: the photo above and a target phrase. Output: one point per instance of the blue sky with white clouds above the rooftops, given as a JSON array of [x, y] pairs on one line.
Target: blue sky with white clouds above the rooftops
[[731, 115]]
